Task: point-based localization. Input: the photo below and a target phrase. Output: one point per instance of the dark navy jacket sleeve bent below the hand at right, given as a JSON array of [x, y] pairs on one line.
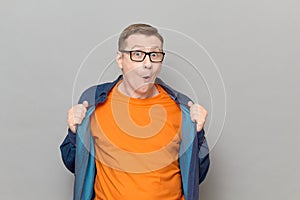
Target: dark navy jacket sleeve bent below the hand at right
[[204, 160]]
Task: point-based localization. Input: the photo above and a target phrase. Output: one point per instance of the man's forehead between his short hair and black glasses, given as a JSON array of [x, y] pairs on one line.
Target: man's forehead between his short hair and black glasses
[[143, 41]]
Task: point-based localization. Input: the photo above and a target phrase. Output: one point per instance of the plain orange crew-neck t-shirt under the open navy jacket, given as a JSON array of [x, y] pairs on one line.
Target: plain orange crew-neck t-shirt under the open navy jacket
[[136, 147]]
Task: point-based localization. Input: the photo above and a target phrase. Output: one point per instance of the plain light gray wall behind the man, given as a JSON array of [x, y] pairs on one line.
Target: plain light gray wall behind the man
[[254, 43]]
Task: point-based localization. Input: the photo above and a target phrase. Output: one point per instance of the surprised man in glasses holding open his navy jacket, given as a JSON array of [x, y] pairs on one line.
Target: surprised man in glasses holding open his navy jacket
[[136, 137]]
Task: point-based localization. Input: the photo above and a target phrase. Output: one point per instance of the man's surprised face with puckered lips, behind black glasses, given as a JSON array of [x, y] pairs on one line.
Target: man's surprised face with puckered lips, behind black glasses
[[139, 77]]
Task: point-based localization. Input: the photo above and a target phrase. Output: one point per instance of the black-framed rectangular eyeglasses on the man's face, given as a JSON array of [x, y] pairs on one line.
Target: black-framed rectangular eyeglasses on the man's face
[[139, 56]]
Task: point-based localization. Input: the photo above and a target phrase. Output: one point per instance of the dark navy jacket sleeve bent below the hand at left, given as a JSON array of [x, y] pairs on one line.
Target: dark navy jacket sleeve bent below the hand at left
[[68, 151]]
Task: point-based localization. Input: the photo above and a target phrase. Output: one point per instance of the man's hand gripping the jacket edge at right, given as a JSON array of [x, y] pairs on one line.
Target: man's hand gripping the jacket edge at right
[[198, 114]]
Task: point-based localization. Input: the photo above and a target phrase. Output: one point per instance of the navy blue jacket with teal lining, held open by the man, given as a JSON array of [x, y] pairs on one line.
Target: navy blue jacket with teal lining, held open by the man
[[78, 149]]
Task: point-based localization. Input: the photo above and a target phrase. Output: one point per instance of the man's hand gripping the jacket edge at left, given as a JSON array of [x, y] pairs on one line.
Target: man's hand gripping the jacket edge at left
[[76, 114]]
